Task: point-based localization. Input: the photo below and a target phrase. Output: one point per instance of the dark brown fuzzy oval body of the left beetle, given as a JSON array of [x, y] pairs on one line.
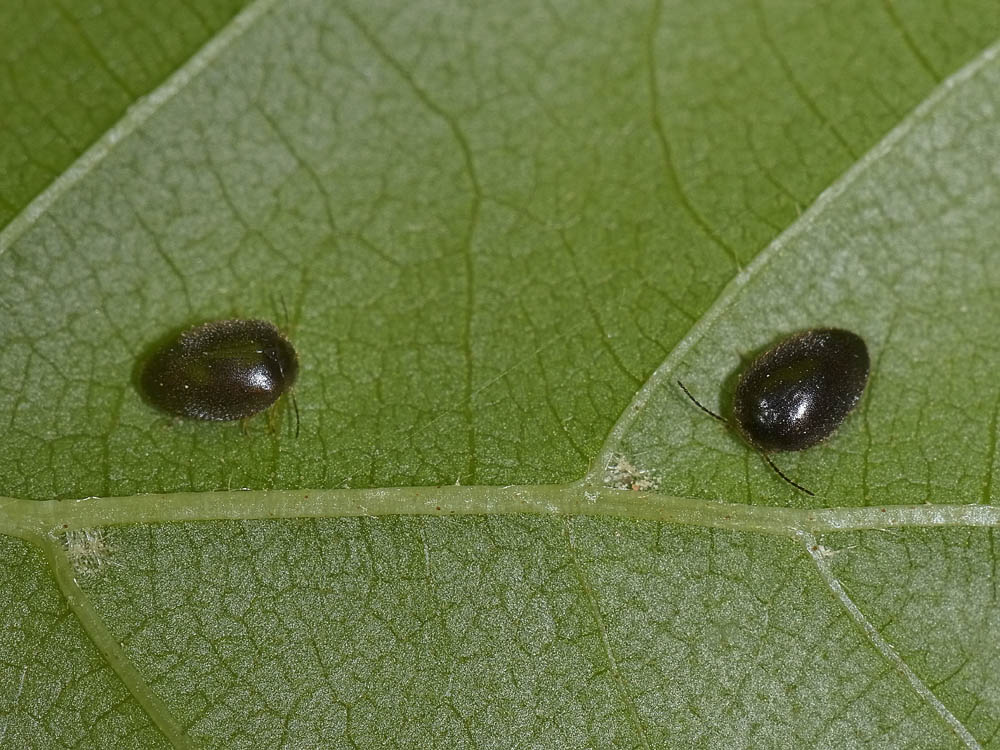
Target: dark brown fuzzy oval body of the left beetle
[[222, 370]]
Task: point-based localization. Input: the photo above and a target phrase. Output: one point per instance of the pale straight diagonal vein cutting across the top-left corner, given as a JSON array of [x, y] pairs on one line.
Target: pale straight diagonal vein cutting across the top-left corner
[[140, 112]]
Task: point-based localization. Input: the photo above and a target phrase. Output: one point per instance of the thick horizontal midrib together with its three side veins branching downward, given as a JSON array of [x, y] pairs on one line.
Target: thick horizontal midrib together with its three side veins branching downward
[[45, 523]]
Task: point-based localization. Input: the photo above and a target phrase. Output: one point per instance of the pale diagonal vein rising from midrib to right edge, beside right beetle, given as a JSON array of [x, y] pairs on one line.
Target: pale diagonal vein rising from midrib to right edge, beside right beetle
[[730, 293]]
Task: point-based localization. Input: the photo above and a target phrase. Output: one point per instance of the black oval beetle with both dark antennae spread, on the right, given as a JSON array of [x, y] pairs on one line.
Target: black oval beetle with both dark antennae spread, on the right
[[798, 392]]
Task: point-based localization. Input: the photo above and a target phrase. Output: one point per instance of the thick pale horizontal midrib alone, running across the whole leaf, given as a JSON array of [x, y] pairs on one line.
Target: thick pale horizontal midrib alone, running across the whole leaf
[[37, 519]]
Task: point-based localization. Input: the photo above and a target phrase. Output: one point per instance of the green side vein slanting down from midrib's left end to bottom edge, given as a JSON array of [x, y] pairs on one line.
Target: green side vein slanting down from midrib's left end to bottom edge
[[111, 649]]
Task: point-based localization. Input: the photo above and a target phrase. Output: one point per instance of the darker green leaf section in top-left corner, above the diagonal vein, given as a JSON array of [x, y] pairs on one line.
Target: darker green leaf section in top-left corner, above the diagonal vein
[[70, 69]]
